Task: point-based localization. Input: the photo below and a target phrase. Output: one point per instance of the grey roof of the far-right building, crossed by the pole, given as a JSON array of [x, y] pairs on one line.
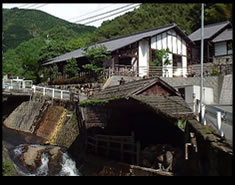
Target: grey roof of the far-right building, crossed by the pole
[[209, 31]]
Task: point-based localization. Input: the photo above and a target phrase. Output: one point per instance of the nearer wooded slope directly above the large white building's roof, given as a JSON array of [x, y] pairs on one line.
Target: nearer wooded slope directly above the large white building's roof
[[150, 15]]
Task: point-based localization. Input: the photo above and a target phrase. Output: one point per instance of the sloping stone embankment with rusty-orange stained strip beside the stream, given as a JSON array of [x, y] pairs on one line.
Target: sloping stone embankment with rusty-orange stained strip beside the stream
[[46, 119]]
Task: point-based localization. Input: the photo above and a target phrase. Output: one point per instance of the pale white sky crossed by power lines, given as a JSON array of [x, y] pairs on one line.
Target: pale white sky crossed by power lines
[[79, 12]]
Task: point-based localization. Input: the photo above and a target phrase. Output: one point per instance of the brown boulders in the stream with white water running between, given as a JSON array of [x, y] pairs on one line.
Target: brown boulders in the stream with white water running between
[[42, 160]]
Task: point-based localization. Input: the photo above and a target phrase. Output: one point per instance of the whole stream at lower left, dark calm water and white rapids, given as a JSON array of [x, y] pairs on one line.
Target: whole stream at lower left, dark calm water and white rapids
[[15, 140]]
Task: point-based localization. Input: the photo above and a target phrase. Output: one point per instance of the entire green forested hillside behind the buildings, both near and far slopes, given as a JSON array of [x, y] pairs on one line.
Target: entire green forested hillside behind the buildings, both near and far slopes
[[36, 37]]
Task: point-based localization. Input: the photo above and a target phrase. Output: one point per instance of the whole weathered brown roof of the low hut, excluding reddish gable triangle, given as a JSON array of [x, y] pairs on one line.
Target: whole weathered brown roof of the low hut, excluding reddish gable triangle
[[173, 106]]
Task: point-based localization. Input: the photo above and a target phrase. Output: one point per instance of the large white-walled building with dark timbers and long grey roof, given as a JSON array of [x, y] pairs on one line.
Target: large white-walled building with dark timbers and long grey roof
[[133, 54]]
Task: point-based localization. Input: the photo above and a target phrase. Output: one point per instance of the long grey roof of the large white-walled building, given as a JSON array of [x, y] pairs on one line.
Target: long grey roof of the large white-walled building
[[117, 43]]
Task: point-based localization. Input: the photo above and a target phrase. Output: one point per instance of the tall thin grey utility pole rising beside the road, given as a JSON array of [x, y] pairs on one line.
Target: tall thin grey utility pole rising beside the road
[[201, 66]]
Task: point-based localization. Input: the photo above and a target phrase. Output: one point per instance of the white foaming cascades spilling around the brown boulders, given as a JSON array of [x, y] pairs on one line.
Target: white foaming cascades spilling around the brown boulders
[[68, 166]]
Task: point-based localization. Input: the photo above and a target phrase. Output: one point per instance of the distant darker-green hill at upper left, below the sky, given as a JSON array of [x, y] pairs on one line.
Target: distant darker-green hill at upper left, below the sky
[[23, 24]]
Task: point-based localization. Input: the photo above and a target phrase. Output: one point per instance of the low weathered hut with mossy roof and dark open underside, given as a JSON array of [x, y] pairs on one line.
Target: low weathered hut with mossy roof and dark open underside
[[149, 107]]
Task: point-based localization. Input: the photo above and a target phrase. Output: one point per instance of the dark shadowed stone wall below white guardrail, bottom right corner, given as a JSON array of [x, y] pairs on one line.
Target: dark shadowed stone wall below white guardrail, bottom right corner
[[214, 156]]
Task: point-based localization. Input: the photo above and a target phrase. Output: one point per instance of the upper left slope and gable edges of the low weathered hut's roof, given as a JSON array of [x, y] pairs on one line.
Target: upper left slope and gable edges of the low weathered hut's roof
[[131, 88]]
